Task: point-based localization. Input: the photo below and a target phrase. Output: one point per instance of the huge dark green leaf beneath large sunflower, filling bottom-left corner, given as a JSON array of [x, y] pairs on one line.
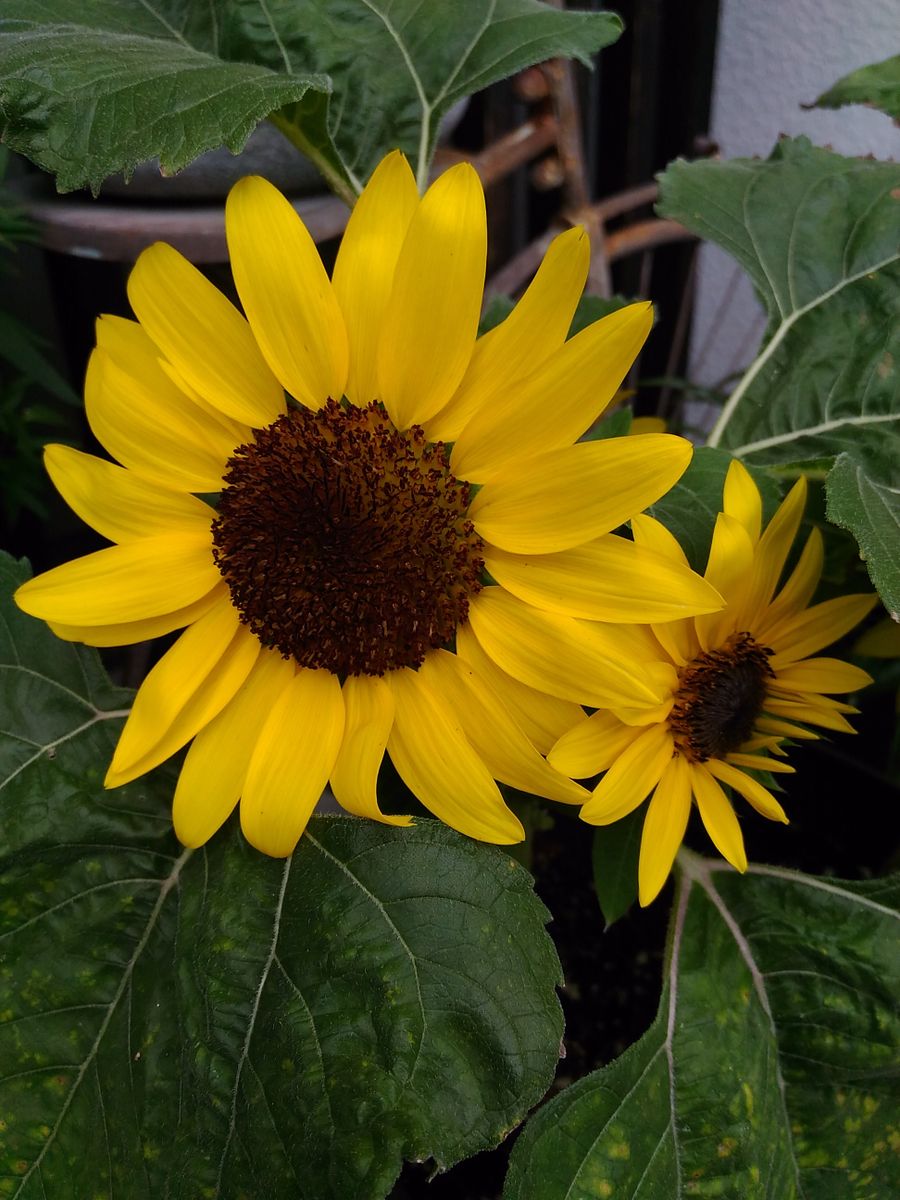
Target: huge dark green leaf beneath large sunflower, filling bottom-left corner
[[220, 1024]]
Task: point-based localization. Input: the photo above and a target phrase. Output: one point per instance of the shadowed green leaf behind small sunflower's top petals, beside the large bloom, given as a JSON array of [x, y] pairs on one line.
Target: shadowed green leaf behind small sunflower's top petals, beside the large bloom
[[691, 508]]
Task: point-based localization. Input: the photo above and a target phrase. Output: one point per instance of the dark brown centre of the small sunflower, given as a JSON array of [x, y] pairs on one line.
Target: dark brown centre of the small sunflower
[[721, 695]]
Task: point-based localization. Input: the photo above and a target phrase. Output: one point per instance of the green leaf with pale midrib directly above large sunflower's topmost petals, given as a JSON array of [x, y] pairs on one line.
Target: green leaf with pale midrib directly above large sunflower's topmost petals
[[398, 67]]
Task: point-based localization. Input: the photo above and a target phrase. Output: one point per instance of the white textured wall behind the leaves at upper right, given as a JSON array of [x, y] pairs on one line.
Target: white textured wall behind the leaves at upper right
[[772, 57]]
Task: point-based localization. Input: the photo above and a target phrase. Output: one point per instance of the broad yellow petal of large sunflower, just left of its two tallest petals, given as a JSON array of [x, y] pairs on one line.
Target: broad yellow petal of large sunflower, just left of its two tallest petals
[[286, 292]]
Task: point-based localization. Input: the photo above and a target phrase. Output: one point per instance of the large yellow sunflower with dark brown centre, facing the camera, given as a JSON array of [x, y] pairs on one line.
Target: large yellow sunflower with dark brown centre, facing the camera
[[289, 496]]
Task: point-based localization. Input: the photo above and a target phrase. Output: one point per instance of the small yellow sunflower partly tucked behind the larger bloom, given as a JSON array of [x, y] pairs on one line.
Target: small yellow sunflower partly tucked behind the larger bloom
[[737, 685]]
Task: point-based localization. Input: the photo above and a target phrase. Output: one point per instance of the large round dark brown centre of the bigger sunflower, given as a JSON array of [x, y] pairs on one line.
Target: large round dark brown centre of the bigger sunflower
[[345, 543]]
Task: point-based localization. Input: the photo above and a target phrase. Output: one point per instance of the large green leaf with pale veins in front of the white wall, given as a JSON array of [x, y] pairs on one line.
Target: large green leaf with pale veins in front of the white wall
[[820, 238]]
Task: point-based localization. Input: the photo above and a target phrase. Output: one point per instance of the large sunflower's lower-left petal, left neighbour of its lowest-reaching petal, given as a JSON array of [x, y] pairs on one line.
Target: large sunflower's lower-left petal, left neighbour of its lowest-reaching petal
[[217, 765]]
